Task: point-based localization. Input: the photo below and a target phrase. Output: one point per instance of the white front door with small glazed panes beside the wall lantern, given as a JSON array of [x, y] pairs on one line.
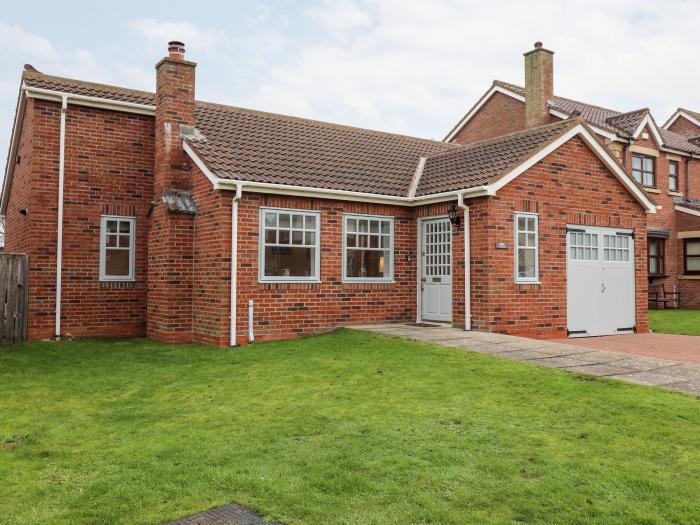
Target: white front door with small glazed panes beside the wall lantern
[[436, 270]]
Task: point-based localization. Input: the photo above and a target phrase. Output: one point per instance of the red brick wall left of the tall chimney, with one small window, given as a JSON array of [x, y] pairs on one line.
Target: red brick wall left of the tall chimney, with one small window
[[108, 170]]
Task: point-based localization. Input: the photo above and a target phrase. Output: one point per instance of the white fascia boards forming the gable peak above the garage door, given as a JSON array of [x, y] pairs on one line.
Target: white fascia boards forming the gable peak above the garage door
[[600, 152]]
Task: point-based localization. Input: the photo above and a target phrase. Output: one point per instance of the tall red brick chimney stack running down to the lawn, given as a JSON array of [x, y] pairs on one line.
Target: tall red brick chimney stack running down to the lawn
[[171, 234]]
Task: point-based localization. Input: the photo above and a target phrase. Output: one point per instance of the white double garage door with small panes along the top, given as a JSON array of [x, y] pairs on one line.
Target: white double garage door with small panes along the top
[[600, 281]]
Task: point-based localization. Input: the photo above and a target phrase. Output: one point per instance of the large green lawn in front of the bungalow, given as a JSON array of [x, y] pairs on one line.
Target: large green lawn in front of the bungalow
[[344, 428]]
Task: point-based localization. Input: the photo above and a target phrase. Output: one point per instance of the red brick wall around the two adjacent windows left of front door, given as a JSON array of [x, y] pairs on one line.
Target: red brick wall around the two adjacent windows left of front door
[[294, 309]]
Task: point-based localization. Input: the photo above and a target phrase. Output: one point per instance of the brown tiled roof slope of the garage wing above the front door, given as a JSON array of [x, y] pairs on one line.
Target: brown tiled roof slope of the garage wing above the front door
[[481, 162]]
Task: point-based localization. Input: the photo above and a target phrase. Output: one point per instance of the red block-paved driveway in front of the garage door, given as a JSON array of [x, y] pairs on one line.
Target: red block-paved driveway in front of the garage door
[[682, 348]]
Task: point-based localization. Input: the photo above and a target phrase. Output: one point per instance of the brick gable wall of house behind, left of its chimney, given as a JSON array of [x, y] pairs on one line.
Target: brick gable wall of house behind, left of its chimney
[[500, 115]]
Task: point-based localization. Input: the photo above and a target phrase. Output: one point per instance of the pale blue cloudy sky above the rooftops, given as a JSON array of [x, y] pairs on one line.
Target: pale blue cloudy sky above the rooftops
[[397, 65]]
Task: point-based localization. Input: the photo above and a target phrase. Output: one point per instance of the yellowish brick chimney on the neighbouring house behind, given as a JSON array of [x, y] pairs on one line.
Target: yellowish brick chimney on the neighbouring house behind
[[539, 85]]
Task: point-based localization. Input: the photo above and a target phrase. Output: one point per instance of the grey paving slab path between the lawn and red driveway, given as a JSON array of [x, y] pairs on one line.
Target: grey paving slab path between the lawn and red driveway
[[670, 374]]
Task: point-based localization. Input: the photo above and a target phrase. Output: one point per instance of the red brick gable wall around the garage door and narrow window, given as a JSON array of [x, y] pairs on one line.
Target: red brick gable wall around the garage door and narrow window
[[569, 186]]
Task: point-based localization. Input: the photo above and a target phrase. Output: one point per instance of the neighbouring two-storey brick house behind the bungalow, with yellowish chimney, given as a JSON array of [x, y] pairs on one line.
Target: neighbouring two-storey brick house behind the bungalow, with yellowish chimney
[[664, 160]]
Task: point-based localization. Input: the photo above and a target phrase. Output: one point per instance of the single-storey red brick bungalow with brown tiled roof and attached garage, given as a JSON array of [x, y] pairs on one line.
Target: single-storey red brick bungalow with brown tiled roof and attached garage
[[154, 213]]
